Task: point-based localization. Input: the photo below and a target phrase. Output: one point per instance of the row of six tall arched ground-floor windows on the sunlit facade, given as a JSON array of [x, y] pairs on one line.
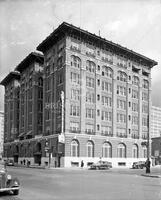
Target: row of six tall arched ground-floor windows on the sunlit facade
[[106, 150]]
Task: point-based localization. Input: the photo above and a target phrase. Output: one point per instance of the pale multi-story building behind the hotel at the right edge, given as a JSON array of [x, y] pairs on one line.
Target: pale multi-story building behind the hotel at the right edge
[[155, 122]]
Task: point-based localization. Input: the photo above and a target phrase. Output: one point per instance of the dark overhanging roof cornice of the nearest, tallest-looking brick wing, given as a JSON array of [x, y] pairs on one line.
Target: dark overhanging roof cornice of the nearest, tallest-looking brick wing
[[69, 28]]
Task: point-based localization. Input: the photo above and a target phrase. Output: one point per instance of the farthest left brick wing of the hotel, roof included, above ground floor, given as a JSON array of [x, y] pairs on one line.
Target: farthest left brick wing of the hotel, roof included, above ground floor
[[11, 106]]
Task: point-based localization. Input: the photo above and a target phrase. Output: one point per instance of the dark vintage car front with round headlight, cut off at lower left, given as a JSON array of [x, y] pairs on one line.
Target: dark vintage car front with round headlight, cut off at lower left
[[7, 182]]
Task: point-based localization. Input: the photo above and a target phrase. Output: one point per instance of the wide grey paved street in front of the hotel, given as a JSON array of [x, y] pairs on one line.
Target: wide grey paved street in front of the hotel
[[67, 184]]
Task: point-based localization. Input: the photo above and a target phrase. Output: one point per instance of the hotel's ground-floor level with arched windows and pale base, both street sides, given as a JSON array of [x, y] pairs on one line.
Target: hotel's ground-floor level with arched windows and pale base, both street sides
[[48, 151]]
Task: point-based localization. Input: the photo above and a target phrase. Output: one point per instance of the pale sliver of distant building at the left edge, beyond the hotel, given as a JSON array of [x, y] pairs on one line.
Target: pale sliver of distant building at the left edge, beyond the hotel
[[1, 132]]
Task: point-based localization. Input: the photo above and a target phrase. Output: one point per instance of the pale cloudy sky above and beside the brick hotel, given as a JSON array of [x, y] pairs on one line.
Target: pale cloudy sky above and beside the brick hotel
[[134, 24]]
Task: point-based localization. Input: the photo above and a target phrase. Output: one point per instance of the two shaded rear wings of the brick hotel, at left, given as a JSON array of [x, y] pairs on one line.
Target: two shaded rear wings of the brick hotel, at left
[[23, 108]]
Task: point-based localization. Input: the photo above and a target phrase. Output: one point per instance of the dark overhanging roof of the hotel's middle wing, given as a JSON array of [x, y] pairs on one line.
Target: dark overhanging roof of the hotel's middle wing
[[33, 56]]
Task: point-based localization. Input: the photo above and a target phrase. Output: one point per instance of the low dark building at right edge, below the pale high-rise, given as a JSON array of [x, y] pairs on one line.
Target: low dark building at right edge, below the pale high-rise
[[156, 150]]
